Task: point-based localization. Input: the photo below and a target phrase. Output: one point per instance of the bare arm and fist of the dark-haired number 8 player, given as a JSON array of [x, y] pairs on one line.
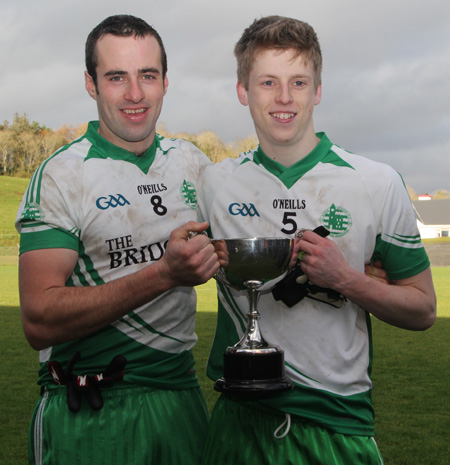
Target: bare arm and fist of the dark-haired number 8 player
[[53, 313]]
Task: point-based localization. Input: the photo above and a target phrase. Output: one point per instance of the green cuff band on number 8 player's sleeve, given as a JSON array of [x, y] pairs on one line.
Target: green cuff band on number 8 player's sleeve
[[48, 239]]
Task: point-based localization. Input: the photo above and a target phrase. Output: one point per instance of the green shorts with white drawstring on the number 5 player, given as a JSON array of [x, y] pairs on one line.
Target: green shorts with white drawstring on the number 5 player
[[246, 433]]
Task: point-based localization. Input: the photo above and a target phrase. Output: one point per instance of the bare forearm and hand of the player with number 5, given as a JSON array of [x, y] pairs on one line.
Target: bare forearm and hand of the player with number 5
[[407, 303]]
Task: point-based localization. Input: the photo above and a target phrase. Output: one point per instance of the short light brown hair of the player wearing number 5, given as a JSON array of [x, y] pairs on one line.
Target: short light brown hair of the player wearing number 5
[[281, 33]]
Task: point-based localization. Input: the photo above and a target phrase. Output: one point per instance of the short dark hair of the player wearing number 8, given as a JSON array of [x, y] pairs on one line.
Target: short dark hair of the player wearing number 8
[[122, 26]]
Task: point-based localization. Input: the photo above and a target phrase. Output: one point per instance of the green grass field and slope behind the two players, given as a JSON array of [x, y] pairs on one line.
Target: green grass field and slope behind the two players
[[411, 370]]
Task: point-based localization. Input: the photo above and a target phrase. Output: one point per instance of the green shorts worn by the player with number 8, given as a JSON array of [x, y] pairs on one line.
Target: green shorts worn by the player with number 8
[[136, 425]]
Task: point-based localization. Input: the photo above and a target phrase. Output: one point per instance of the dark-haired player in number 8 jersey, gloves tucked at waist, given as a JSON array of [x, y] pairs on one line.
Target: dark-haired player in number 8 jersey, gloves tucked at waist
[[105, 286]]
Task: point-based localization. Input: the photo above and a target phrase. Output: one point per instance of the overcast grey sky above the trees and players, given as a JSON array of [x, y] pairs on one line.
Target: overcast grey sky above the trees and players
[[386, 78]]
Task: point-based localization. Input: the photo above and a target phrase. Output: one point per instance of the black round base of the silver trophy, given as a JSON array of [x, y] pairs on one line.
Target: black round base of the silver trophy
[[254, 372]]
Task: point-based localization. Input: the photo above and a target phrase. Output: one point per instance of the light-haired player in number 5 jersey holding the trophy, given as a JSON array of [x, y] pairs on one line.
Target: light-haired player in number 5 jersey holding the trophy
[[298, 179]]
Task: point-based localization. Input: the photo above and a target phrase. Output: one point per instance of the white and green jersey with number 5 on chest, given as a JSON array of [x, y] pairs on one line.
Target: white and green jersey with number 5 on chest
[[365, 206]]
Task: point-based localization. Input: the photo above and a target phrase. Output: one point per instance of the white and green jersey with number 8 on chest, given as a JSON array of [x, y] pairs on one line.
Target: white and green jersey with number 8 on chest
[[117, 211]]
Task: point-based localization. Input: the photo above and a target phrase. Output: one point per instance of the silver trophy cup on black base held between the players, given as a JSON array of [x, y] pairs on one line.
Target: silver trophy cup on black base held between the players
[[252, 366]]
